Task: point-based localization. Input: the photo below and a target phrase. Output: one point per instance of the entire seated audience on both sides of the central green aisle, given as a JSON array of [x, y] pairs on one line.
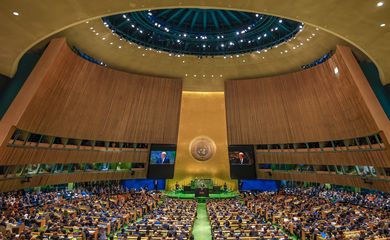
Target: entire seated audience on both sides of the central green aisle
[[113, 212]]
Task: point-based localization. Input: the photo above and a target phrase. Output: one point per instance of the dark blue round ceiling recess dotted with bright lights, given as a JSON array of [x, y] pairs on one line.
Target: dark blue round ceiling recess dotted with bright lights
[[202, 32]]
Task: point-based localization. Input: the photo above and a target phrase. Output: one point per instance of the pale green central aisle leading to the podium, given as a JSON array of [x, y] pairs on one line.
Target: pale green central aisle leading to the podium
[[202, 228]]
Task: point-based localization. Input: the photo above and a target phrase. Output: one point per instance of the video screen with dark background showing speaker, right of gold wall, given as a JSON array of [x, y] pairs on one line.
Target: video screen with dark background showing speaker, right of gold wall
[[242, 162]]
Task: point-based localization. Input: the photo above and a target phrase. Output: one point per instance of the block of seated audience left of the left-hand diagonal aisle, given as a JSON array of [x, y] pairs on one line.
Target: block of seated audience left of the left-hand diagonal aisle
[[83, 213]]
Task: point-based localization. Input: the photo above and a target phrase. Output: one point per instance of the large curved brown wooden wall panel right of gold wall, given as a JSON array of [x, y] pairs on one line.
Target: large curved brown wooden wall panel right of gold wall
[[311, 105]]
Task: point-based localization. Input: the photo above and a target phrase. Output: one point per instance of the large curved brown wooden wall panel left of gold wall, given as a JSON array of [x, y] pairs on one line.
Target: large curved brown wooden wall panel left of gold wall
[[80, 99]]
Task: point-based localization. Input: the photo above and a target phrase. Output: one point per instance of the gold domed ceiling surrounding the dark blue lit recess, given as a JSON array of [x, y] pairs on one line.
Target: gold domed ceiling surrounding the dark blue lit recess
[[363, 24]]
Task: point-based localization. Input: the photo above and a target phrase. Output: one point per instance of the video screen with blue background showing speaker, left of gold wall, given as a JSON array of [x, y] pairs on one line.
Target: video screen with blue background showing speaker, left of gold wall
[[161, 161]]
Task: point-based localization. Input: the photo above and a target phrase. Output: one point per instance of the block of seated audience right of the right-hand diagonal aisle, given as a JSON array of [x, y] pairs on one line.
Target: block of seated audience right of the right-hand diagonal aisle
[[315, 213]]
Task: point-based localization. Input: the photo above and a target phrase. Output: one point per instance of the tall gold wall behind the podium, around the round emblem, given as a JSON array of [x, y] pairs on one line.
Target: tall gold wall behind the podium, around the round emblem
[[202, 114]]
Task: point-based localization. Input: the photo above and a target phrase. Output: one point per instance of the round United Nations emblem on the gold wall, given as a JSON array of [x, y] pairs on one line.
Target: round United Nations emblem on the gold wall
[[202, 148]]
